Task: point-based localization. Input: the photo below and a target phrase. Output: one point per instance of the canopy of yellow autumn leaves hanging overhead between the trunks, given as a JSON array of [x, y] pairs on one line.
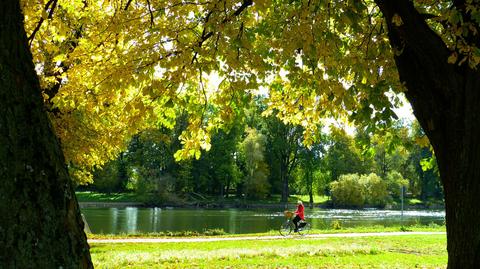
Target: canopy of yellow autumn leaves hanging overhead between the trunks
[[121, 67]]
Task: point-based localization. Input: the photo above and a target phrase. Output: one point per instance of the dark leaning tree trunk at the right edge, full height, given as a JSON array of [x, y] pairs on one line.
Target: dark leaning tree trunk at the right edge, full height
[[445, 99]]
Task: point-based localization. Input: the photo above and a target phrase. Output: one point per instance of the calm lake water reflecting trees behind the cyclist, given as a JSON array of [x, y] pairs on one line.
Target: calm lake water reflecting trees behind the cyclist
[[239, 221]]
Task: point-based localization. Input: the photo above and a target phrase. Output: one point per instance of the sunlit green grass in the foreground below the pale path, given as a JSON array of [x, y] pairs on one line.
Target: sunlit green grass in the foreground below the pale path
[[407, 251]]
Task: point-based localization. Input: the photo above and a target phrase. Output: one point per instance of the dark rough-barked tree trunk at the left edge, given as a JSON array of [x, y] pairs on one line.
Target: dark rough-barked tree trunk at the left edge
[[40, 222]]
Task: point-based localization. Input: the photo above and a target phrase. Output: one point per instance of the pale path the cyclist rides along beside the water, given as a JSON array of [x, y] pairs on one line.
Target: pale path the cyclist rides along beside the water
[[270, 237]]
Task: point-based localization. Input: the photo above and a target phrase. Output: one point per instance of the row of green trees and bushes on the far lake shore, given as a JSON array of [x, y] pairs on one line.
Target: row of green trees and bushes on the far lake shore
[[257, 157]]
